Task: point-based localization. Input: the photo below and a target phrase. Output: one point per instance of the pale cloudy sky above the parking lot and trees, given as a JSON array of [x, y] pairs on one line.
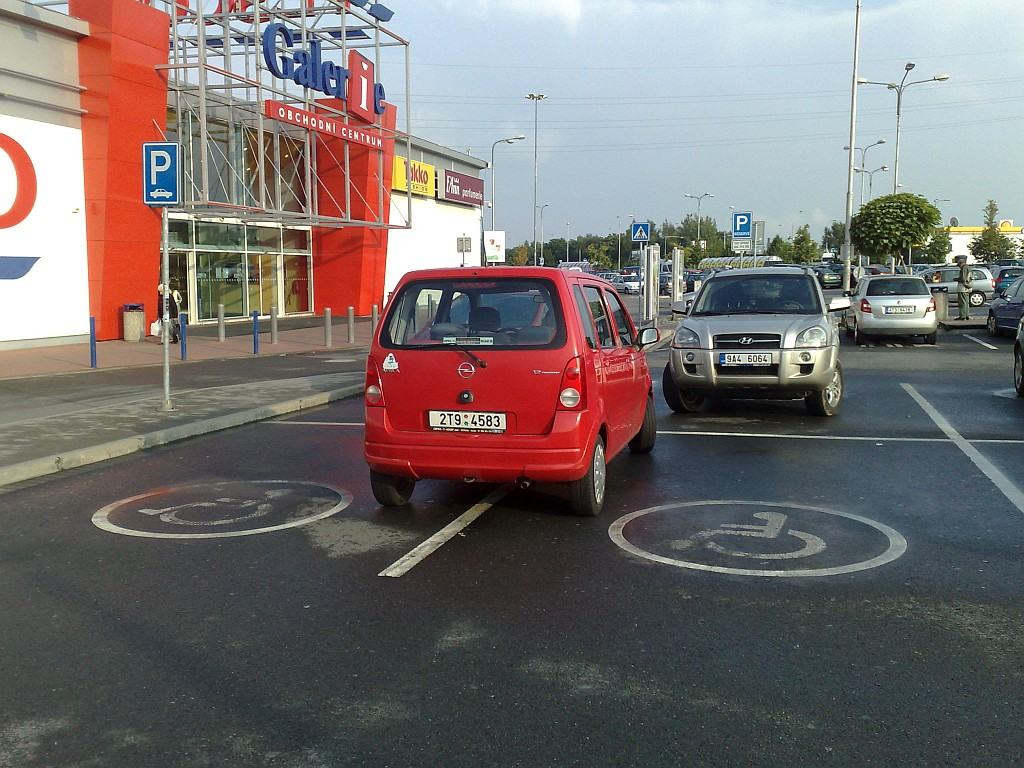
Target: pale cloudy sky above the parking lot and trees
[[749, 100]]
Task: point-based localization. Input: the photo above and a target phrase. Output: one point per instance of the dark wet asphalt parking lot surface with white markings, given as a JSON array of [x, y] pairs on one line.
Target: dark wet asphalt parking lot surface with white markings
[[765, 588]]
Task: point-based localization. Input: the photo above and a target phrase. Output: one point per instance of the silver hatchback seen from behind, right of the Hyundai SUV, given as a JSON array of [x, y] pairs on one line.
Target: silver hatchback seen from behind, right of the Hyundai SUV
[[892, 306]]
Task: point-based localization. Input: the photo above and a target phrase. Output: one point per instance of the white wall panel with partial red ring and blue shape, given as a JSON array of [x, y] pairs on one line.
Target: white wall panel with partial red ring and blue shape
[[45, 275]]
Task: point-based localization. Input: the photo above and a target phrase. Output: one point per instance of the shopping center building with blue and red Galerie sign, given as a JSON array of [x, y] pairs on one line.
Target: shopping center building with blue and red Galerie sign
[[302, 187]]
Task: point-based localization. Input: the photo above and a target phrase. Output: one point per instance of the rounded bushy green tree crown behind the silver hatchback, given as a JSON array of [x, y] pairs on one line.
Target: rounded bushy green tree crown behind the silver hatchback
[[887, 227]]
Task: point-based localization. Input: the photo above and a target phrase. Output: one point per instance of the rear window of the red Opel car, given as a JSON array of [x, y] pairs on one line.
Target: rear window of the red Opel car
[[478, 312]]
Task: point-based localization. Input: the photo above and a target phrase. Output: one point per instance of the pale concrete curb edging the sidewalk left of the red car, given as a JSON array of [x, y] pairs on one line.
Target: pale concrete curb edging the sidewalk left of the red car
[[79, 458]]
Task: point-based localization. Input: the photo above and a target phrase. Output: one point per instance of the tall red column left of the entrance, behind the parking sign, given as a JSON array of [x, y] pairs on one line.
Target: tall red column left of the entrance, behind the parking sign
[[124, 97]]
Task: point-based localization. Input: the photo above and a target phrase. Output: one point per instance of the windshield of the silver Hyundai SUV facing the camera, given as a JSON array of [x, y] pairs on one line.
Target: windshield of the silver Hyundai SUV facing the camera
[[759, 294]]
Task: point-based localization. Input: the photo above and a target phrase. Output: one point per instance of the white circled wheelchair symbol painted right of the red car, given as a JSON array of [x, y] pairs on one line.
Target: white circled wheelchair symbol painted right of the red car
[[782, 540]]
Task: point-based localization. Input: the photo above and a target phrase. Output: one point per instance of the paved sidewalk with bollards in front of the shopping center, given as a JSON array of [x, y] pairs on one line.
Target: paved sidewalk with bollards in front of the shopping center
[[57, 413]]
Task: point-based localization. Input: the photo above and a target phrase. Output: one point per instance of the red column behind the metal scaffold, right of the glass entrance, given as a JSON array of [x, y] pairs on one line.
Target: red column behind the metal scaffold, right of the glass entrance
[[349, 264]]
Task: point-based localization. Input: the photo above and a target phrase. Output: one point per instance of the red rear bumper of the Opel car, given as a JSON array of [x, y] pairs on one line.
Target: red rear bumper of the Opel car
[[560, 456]]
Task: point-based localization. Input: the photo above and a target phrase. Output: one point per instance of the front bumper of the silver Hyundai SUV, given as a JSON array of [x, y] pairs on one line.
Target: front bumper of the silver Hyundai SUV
[[793, 376]]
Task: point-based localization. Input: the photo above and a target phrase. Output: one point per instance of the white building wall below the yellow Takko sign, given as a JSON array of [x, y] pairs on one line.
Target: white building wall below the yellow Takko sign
[[432, 241]]
